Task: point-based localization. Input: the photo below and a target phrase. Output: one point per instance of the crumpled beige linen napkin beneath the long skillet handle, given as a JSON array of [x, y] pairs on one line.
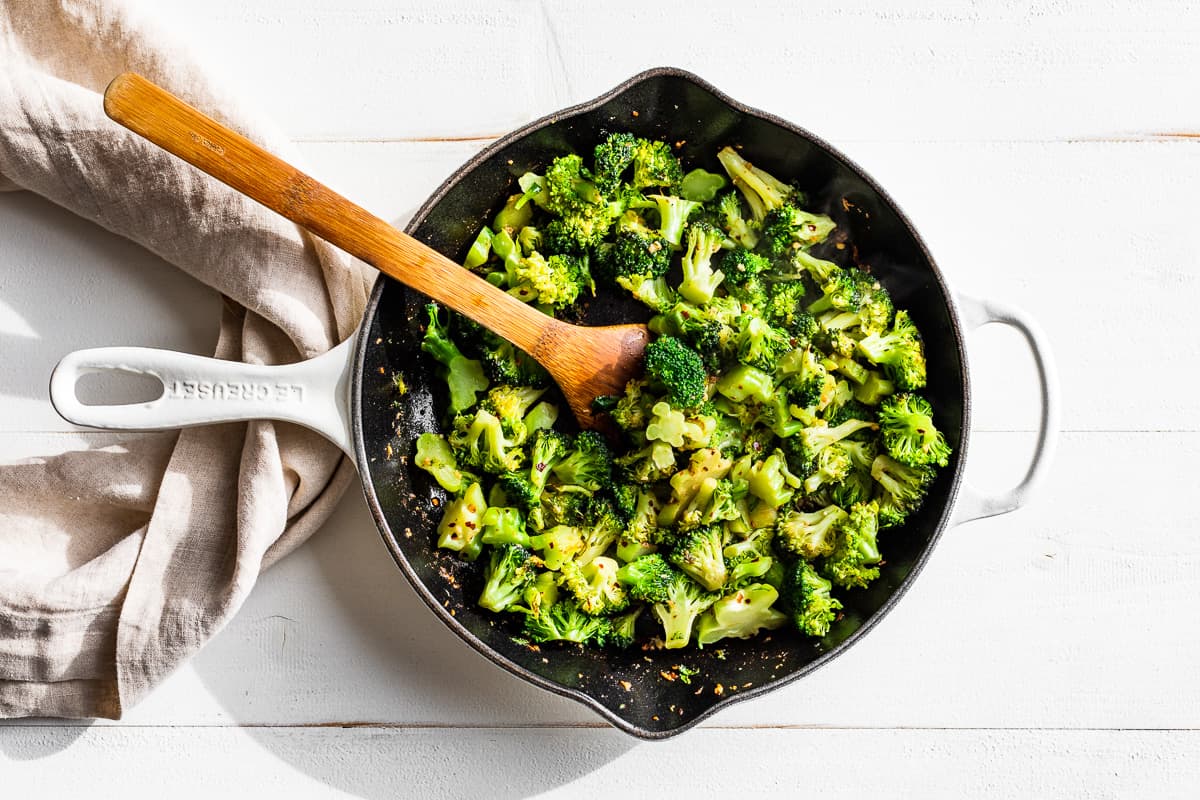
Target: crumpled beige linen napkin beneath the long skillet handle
[[119, 563]]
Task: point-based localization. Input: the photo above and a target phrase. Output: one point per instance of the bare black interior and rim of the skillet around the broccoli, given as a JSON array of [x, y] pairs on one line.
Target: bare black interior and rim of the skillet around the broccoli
[[680, 109]]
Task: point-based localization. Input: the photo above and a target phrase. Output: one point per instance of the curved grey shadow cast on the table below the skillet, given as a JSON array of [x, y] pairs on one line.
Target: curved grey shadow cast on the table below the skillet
[[503, 749]]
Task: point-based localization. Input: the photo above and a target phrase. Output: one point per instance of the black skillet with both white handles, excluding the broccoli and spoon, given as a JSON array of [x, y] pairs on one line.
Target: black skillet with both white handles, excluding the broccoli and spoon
[[350, 395]]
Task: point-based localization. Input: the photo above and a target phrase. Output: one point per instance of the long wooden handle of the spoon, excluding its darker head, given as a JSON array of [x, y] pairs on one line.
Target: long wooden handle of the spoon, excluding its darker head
[[160, 117]]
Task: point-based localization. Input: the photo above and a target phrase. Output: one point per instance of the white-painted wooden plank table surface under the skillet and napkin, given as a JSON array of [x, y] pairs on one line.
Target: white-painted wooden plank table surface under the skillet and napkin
[[1048, 153]]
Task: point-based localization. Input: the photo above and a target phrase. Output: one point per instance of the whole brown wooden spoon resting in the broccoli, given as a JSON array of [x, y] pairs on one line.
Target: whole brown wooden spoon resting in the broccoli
[[585, 362]]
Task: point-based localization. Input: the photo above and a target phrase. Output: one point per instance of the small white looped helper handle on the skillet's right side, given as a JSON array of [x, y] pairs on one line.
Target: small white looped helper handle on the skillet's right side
[[974, 504]]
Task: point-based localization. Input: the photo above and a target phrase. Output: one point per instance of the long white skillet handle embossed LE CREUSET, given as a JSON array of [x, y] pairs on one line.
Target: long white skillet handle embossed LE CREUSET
[[206, 392]]
